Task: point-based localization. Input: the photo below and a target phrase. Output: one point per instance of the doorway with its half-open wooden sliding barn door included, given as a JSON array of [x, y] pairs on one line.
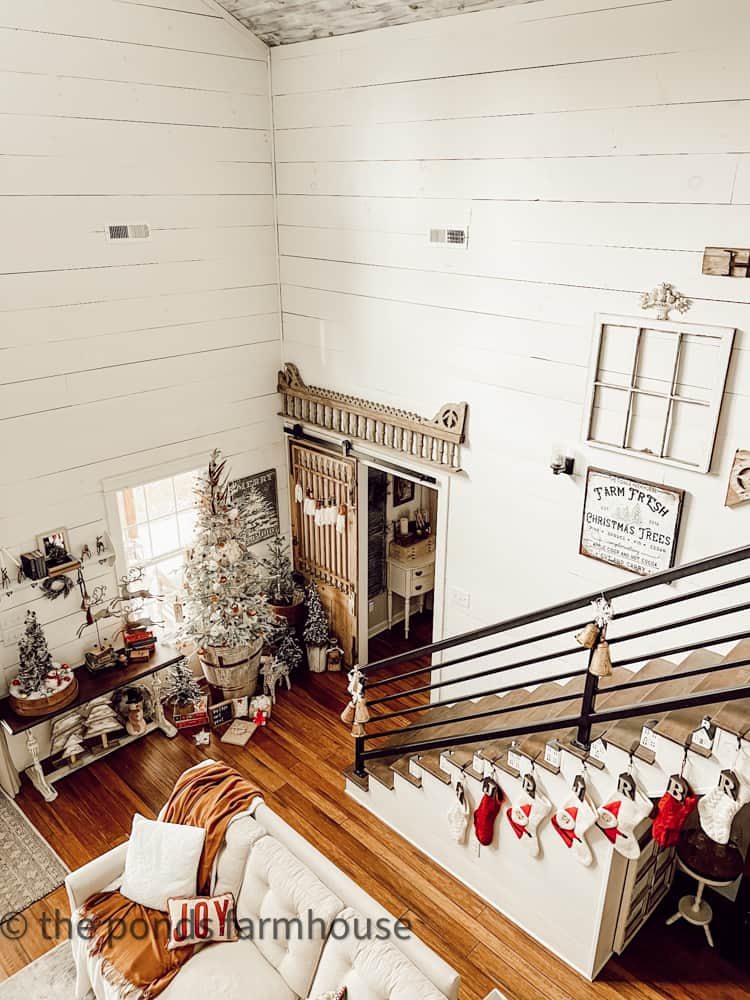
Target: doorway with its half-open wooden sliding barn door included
[[371, 535]]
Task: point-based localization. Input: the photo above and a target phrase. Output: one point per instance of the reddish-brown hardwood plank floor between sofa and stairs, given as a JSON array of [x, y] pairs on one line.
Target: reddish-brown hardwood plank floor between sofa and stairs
[[298, 759]]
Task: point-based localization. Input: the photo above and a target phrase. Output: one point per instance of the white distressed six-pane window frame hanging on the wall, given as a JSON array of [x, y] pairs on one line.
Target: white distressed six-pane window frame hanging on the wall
[[672, 398]]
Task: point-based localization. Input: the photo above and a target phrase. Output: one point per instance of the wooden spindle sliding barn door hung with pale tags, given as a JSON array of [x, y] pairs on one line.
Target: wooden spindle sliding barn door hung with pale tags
[[325, 548]]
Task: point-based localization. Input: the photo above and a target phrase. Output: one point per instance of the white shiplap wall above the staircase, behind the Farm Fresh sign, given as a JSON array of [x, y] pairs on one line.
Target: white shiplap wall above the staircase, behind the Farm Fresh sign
[[593, 147]]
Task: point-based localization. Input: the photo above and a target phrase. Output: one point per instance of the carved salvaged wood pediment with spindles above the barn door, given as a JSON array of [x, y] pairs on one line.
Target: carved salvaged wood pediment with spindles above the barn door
[[436, 441]]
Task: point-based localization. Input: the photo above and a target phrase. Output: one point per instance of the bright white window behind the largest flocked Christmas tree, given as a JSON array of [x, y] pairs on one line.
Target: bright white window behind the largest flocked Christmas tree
[[158, 520]]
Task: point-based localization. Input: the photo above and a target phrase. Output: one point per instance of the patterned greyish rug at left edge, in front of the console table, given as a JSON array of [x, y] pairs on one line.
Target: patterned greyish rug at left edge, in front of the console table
[[29, 868]]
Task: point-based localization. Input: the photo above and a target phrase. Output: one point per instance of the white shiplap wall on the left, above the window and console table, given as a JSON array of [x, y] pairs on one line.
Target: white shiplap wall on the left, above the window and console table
[[120, 359]]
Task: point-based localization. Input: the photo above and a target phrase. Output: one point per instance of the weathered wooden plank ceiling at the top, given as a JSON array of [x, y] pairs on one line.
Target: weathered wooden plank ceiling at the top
[[280, 22]]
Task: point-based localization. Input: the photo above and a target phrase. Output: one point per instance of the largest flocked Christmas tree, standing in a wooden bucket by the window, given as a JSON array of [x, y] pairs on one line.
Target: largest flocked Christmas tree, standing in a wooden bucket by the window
[[224, 604]]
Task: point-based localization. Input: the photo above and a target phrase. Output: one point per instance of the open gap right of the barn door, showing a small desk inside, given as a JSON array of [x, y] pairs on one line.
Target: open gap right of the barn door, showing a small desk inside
[[401, 525]]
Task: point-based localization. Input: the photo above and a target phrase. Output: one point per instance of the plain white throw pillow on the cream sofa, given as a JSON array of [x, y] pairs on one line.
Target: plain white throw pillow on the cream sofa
[[162, 861]]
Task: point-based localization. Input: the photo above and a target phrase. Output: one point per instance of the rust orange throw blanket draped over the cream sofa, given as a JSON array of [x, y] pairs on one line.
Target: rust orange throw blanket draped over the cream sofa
[[139, 964]]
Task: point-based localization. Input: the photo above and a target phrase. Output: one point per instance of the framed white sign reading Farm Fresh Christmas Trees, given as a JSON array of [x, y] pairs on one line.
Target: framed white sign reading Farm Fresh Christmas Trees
[[630, 523]]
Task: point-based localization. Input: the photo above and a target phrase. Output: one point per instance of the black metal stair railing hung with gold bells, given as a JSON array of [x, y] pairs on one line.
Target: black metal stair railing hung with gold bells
[[415, 737]]
